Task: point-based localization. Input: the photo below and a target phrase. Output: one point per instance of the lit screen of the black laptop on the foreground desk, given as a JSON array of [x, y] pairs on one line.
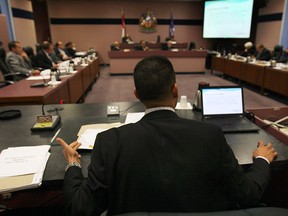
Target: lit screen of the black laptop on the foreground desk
[[224, 100]]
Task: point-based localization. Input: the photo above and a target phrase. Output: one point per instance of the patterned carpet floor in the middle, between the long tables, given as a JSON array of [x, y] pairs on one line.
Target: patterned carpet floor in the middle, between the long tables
[[120, 89]]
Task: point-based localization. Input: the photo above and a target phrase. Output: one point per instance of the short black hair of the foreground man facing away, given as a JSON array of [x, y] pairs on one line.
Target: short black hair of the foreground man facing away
[[154, 77]]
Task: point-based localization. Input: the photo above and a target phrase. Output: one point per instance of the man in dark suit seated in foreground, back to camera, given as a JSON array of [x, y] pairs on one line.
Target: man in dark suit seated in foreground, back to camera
[[162, 163]]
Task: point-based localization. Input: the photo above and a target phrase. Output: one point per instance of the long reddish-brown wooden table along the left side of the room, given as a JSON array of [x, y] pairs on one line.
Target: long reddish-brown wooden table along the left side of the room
[[70, 90]]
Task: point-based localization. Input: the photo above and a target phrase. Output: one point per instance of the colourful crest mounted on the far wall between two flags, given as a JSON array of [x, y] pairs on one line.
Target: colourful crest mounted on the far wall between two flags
[[148, 22]]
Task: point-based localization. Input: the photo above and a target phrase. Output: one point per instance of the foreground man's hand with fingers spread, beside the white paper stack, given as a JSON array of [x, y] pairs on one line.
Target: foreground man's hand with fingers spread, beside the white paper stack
[[70, 151]]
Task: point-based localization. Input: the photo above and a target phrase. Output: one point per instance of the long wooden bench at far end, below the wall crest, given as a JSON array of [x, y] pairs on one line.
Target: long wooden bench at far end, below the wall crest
[[184, 61]]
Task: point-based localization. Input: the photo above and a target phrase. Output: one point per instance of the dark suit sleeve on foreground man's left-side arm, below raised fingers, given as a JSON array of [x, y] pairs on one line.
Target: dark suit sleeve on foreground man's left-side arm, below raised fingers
[[86, 196]]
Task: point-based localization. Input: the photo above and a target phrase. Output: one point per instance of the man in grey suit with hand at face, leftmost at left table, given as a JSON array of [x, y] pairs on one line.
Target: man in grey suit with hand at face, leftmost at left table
[[18, 61]]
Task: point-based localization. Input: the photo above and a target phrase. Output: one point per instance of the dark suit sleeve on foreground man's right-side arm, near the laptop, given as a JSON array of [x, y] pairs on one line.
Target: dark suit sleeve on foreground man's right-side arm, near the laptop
[[243, 189]]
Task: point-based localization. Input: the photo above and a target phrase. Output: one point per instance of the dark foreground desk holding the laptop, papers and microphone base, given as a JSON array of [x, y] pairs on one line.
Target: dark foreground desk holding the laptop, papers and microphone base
[[16, 132]]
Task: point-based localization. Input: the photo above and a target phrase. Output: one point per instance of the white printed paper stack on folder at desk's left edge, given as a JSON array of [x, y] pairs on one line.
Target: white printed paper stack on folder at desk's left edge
[[22, 167]]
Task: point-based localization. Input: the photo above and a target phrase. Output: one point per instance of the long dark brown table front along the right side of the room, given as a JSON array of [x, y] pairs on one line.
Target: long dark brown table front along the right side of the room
[[265, 77]]
